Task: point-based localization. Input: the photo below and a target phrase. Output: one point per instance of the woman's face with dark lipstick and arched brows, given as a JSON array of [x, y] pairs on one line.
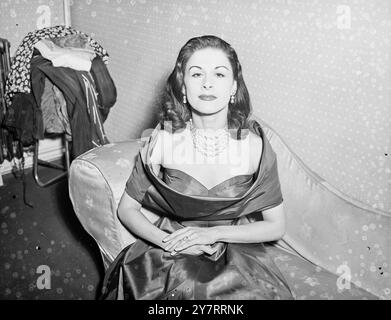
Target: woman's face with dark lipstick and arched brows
[[208, 81]]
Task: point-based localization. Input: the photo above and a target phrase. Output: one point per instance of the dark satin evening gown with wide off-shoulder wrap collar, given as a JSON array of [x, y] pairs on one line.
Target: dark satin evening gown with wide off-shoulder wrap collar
[[235, 271]]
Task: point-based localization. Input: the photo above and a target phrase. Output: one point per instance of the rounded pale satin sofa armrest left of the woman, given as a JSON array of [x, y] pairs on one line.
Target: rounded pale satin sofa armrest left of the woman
[[97, 181]]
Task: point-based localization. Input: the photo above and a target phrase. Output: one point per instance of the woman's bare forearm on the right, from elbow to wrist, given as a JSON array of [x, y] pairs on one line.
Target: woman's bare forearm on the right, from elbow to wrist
[[260, 231]]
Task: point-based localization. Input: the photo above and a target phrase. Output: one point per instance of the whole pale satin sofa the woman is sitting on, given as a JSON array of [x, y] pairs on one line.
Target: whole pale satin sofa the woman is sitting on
[[334, 248]]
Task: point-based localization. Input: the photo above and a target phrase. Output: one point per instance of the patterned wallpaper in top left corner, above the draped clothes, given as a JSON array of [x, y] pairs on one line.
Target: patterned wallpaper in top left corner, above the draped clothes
[[19, 17]]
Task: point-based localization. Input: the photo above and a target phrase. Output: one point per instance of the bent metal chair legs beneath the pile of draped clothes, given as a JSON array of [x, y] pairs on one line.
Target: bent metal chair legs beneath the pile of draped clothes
[[37, 161]]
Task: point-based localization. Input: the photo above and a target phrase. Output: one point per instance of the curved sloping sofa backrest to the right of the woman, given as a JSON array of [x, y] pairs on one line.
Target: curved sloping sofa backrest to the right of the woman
[[331, 229]]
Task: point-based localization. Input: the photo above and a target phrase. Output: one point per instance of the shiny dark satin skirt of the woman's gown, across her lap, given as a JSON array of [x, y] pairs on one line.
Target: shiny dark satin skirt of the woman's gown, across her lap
[[143, 271]]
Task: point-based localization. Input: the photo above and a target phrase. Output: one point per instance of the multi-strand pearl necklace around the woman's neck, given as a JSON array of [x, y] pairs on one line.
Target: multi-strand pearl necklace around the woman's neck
[[208, 142]]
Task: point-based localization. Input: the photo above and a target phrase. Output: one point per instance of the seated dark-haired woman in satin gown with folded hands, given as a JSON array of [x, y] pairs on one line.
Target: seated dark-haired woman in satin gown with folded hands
[[210, 175]]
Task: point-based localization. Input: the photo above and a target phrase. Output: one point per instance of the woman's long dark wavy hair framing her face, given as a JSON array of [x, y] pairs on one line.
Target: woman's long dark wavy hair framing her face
[[175, 113]]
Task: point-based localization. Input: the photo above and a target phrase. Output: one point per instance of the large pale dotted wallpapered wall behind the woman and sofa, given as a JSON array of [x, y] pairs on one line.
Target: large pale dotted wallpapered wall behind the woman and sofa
[[318, 72]]
